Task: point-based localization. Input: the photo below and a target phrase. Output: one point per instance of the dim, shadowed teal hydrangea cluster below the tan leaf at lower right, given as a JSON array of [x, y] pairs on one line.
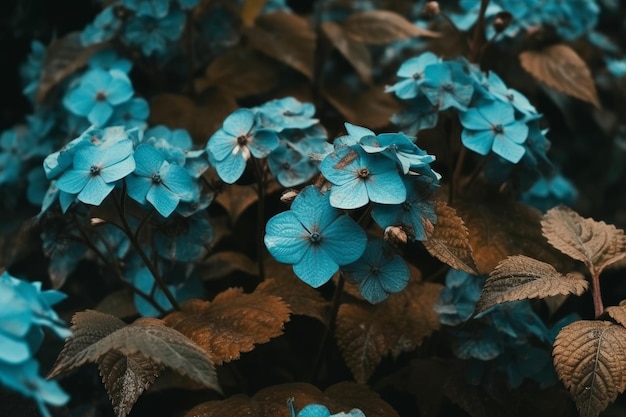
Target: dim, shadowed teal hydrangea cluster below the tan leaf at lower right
[[509, 338]]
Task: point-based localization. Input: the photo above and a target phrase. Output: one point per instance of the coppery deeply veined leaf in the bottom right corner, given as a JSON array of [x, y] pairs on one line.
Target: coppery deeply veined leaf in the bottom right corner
[[590, 359]]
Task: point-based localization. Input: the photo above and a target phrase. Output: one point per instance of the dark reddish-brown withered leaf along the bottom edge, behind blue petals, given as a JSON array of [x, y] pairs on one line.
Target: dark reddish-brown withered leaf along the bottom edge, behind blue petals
[[272, 401]]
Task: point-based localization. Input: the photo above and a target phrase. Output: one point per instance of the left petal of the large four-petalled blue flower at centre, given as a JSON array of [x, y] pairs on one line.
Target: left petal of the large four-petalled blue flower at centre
[[285, 238]]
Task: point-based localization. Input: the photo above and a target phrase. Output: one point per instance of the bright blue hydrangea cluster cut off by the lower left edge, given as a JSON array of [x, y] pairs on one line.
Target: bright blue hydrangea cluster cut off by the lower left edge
[[24, 311]]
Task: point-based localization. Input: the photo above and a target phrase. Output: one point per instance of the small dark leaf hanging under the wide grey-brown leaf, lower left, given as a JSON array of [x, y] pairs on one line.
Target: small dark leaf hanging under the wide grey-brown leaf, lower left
[[126, 378]]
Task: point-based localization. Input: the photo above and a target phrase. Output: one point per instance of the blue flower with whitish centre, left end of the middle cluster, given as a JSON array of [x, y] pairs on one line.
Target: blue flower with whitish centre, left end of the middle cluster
[[231, 146]]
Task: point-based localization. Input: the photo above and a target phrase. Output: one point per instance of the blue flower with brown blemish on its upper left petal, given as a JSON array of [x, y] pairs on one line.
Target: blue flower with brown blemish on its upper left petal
[[359, 177]]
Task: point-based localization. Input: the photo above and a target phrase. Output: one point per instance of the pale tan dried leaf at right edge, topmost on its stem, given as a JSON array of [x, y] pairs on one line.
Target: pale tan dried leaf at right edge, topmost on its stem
[[597, 244]]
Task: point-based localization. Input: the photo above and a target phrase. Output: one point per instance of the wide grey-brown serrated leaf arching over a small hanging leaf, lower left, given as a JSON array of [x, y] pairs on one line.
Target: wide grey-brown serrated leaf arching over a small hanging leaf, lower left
[[97, 334]]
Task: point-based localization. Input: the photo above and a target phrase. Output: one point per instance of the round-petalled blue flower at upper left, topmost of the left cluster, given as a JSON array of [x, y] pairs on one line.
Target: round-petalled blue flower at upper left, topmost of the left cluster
[[97, 94]]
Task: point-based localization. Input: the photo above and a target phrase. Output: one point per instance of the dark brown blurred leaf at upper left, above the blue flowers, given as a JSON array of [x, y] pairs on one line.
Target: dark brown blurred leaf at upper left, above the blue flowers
[[64, 57]]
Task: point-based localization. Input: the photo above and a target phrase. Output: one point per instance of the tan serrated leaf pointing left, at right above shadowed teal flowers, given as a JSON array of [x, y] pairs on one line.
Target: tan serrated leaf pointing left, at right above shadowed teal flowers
[[520, 277]]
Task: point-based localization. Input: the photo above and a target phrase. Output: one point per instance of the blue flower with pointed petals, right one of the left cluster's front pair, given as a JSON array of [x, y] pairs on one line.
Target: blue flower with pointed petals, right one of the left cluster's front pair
[[158, 182]]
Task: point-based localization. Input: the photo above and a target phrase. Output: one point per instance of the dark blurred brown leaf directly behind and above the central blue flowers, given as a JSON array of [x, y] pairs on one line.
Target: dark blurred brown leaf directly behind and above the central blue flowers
[[370, 106]]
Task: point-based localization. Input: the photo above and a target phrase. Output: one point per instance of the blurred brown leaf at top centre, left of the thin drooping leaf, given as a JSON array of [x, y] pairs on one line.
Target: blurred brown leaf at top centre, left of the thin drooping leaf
[[285, 37]]
